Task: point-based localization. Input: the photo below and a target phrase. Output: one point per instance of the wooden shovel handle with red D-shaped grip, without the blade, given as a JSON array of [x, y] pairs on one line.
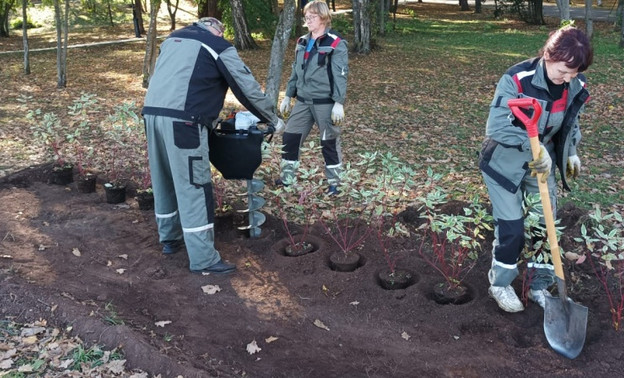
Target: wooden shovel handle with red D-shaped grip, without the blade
[[531, 126]]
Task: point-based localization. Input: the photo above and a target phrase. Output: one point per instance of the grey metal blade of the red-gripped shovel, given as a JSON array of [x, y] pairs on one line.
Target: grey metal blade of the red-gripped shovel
[[565, 326]]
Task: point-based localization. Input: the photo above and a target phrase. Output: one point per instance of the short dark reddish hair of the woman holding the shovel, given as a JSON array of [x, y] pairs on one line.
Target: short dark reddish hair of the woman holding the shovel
[[569, 45]]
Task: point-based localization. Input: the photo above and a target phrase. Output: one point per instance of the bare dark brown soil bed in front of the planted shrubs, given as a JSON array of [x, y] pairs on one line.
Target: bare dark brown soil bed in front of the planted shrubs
[[75, 260]]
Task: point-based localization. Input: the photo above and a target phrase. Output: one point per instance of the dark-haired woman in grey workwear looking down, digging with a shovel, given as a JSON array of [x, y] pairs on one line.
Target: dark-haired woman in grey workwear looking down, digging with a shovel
[[554, 78]]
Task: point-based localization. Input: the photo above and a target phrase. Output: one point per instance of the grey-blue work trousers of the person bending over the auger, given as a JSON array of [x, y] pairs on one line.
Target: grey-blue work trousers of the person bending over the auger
[[181, 180]]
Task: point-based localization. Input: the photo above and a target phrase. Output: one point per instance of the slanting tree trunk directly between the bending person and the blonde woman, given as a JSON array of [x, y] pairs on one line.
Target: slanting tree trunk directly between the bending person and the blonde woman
[[280, 43]]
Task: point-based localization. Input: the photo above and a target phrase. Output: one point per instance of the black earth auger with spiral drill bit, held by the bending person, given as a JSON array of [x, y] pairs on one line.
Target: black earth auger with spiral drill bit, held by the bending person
[[236, 152]]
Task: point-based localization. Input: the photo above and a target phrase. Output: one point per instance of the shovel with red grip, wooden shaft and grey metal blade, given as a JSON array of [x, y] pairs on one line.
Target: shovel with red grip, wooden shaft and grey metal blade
[[565, 322]]
